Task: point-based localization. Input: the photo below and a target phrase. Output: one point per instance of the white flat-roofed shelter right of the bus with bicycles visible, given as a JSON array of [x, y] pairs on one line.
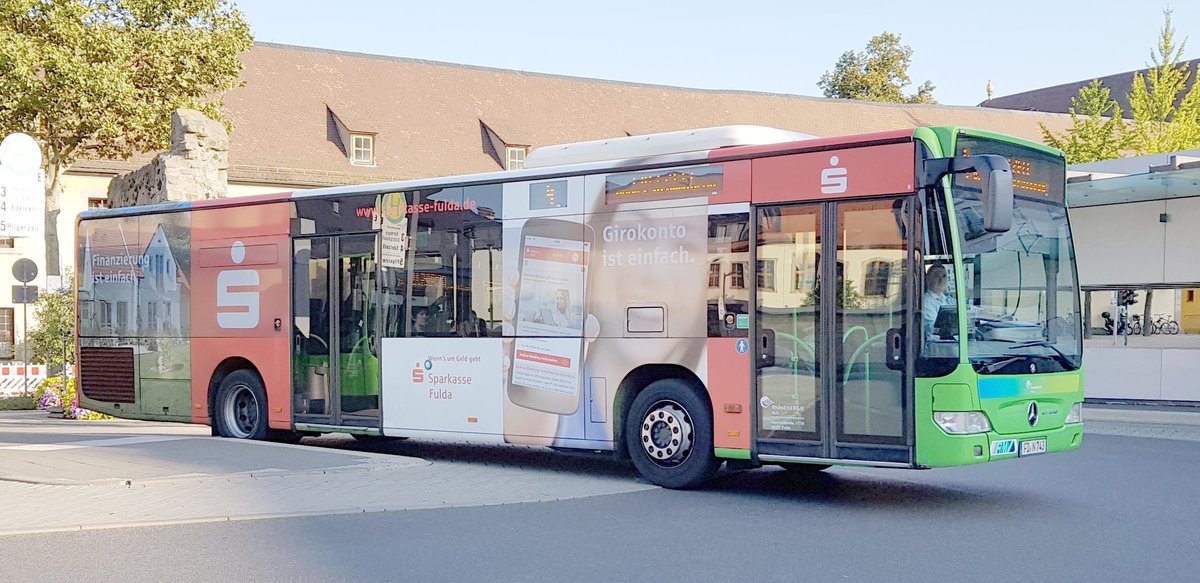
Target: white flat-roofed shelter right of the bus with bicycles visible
[[1137, 227]]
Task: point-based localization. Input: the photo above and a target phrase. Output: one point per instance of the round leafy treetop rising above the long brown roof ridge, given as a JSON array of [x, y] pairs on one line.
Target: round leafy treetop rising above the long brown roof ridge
[[878, 74]]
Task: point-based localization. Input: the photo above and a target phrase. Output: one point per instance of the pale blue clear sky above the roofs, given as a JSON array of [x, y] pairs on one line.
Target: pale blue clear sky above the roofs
[[781, 47]]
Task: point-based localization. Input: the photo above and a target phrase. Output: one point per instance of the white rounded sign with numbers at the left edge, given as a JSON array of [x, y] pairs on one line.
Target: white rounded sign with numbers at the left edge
[[22, 188]]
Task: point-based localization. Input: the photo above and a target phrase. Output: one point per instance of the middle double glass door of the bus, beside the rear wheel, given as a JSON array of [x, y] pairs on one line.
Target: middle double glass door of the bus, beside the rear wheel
[[335, 346]]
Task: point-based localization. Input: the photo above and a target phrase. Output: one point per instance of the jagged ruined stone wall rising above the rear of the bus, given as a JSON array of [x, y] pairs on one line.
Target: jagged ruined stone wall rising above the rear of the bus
[[196, 167]]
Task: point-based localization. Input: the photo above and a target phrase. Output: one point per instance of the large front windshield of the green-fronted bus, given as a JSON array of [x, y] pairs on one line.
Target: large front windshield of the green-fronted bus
[[1021, 287]]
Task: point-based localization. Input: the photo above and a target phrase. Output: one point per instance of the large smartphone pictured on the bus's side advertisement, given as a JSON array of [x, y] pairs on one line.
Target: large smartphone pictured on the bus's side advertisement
[[547, 369]]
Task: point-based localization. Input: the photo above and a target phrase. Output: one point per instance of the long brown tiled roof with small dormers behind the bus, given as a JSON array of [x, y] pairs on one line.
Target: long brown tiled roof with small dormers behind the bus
[[427, 116]]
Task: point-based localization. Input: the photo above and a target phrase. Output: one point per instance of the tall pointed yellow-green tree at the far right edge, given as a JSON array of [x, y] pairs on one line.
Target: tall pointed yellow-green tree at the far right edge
[[1162, 122]]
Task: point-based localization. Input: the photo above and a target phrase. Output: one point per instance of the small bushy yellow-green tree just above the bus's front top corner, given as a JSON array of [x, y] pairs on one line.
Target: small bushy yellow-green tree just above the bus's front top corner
[[1097, 129]]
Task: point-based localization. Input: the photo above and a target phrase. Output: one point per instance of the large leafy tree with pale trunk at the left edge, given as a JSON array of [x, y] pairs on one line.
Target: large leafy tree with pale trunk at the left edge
[[100, 79]]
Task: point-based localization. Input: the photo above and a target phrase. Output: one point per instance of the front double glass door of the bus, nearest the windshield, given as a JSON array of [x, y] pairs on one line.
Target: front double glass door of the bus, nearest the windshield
[[824, 383]]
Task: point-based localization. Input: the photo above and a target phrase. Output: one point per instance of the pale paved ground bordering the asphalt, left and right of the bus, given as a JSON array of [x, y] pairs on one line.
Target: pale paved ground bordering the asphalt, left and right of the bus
[[76, 476]]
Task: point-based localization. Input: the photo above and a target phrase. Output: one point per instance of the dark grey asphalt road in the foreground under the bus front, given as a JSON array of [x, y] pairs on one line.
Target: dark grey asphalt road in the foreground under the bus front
[[1120, 509]]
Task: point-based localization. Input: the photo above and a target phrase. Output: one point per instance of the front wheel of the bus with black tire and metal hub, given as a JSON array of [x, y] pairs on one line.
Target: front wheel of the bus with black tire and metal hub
[[669, 434]]
